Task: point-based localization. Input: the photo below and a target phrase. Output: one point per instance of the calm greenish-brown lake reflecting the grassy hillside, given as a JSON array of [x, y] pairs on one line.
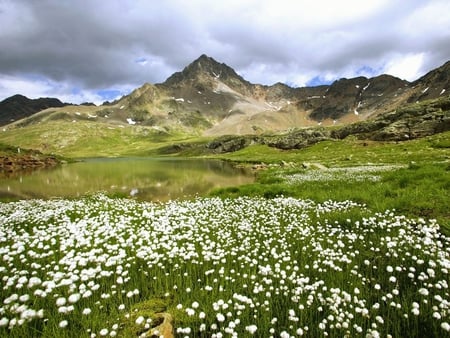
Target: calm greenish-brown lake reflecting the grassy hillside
[[149, 179]]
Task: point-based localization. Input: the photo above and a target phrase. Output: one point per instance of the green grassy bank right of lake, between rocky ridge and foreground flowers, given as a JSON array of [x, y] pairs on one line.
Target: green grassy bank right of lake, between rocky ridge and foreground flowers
[[417, 186]]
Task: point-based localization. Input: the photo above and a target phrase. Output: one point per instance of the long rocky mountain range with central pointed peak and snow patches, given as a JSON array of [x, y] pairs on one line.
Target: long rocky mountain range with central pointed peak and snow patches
[[209, 98]]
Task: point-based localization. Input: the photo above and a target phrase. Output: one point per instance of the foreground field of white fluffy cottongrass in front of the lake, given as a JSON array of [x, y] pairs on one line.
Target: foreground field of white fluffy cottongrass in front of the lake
[[282, 267]]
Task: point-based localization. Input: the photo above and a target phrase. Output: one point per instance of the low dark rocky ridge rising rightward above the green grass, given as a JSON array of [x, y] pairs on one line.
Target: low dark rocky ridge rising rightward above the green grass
[[409, 122]]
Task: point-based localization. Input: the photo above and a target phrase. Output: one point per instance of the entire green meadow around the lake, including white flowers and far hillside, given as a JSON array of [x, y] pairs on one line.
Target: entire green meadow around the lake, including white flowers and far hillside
[[344, 238]]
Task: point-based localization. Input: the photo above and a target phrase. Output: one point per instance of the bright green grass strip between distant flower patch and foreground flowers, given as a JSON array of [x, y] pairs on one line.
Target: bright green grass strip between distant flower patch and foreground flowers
[[417, 191]]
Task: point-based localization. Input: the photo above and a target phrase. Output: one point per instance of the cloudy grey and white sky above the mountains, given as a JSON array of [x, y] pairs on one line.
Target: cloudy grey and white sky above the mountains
[[95, 50]]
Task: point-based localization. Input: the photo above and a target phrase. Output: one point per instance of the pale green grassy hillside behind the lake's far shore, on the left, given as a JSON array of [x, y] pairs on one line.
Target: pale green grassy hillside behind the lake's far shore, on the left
[[89, 139]]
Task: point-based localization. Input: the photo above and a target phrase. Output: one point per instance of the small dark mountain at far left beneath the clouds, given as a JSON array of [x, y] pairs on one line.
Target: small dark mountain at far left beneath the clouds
[[18, 106]]
